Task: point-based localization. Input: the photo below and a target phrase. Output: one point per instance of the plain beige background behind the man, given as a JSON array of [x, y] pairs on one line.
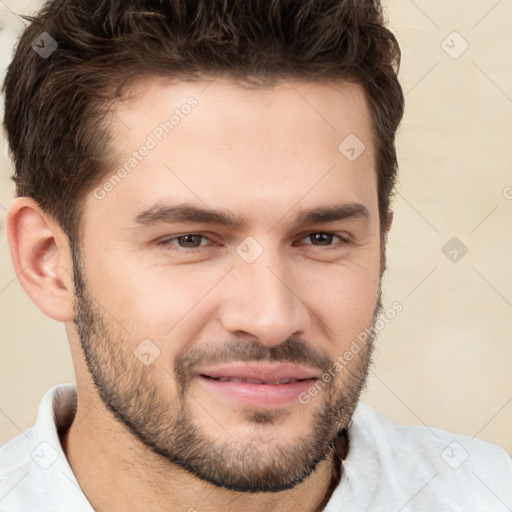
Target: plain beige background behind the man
[[445, 360]]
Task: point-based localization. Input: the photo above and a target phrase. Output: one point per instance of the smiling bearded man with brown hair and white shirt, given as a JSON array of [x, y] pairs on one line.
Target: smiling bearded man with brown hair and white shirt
[[203, 200]]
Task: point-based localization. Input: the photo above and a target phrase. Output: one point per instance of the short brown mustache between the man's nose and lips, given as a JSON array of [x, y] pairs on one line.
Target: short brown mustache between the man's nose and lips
[[293, 350]]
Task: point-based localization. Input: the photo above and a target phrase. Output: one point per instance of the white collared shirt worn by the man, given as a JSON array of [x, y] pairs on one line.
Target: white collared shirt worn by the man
[[388, 468]]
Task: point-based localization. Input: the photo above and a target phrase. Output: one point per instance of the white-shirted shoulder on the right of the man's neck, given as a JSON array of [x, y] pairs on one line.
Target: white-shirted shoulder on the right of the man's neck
[[423, 468]]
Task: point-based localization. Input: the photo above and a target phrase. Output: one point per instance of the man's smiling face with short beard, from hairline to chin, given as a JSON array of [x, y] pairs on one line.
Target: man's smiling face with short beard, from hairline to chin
[[224, 274]]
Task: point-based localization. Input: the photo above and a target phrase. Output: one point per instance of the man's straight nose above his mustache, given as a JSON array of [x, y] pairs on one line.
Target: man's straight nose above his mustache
[[262, 300]]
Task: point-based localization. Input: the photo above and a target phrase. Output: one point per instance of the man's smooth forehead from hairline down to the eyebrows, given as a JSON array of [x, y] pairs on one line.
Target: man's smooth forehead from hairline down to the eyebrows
[[217, 142]]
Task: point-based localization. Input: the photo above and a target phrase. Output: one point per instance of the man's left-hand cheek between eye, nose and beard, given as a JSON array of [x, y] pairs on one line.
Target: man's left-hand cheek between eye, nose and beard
[[167, 305]]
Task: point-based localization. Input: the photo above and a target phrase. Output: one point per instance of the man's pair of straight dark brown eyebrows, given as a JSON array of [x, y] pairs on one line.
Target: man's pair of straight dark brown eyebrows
[[166, 213]]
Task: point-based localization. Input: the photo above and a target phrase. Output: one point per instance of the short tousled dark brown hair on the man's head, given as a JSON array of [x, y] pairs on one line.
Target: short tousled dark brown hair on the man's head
[[55, 107]]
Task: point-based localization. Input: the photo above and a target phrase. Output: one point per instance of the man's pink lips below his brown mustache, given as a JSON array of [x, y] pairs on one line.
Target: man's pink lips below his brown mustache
[[258, 395]]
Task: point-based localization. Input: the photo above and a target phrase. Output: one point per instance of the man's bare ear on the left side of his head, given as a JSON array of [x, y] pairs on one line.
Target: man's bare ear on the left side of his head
[[42, 259]]
